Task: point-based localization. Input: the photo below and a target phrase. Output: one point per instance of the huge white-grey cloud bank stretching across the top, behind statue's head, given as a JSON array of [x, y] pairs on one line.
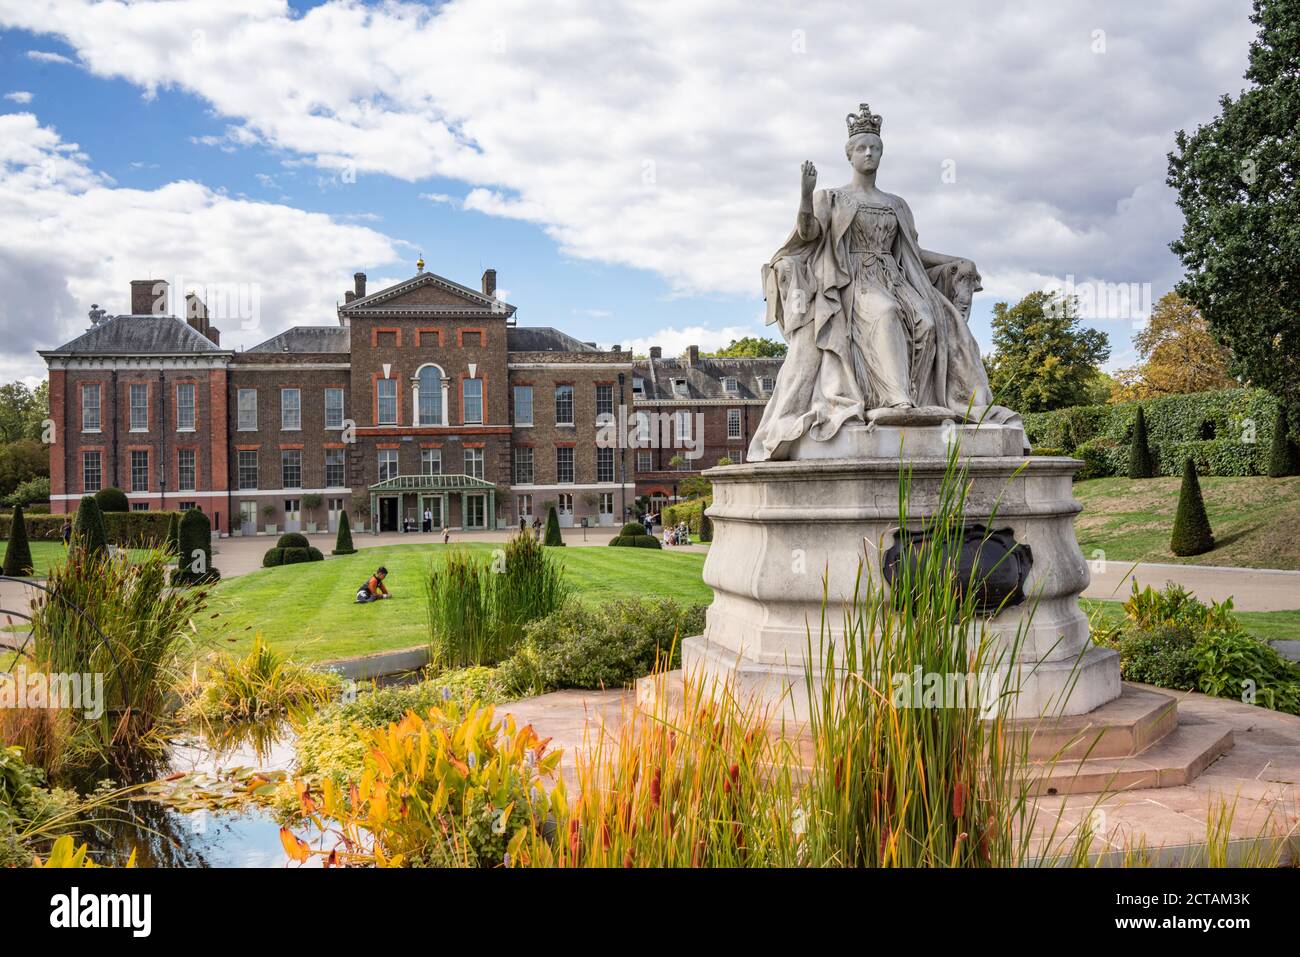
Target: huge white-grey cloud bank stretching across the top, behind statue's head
[[668, 137]]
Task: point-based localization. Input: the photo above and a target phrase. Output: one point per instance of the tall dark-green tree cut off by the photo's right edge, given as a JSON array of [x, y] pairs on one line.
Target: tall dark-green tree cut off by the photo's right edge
[[1240, 192]]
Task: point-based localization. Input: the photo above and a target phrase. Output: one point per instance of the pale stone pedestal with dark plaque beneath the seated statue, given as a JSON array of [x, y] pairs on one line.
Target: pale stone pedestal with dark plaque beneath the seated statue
[[786, 530]]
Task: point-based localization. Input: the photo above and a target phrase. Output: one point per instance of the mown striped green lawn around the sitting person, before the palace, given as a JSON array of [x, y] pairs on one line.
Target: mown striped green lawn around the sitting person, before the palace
[[309, 610]]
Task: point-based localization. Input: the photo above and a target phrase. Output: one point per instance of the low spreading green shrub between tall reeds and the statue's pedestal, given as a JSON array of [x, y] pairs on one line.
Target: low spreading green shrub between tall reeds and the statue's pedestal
[[580, 647]]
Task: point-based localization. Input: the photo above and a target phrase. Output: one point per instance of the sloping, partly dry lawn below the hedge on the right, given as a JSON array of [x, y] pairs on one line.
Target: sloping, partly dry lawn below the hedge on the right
[[1256, 521]]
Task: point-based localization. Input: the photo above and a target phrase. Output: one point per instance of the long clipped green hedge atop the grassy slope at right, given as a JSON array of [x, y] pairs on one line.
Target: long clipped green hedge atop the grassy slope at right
[[1227, 434]]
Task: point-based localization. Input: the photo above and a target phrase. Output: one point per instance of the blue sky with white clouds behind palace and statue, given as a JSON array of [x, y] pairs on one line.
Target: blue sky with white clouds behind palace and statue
[[626, 167]]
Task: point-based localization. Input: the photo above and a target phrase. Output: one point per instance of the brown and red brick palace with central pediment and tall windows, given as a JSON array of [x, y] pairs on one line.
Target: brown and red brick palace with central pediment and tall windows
[[424, 405]]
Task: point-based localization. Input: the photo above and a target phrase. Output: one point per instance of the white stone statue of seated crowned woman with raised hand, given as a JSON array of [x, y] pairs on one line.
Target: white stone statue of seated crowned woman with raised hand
[[876, 324]]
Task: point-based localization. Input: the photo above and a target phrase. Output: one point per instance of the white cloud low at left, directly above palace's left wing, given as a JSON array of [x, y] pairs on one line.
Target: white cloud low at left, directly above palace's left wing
[[72, 239]]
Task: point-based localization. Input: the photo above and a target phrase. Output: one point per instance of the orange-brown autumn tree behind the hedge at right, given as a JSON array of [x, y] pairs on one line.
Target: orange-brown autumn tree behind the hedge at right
[[1180, 356]]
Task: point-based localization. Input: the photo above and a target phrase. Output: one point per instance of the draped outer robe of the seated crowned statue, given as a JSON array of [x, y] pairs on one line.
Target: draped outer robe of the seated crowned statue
[[808, 287]]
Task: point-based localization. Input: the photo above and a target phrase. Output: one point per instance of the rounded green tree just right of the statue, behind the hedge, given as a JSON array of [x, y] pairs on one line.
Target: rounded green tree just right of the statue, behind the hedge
[[1043, 358]]
